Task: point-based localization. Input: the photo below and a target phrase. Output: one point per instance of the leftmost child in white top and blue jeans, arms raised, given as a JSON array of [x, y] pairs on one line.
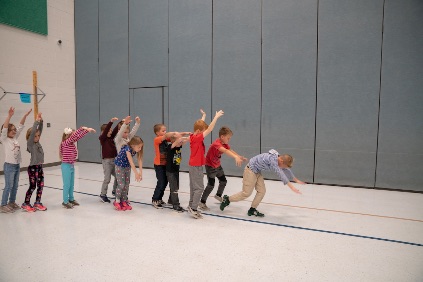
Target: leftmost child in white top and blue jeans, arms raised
[[12, 157]]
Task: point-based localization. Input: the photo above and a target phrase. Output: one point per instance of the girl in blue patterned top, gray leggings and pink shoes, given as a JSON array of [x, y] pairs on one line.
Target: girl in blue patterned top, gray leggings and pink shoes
[[124, 163]]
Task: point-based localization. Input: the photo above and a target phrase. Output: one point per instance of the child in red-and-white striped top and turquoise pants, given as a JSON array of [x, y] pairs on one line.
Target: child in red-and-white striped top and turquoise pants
[[68, 153]]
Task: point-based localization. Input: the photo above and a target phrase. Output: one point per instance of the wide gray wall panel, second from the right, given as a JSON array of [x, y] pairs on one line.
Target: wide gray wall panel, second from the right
[[349, 55]]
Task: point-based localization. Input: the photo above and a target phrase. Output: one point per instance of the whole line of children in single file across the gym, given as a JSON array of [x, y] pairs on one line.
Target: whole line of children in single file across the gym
[[119, 147]]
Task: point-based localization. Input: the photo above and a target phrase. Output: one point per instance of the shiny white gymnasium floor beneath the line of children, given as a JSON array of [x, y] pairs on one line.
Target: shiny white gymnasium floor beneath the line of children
[[327, 234]]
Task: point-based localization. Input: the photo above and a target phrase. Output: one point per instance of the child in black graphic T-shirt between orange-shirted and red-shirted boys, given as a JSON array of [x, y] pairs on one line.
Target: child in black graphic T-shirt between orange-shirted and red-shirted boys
[[174, 157]]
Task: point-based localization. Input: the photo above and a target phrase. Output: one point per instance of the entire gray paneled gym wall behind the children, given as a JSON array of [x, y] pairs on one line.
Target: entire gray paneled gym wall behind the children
[[335, 83]]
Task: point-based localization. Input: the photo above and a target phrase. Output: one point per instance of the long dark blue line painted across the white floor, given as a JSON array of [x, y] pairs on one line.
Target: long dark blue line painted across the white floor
[[281, 225]]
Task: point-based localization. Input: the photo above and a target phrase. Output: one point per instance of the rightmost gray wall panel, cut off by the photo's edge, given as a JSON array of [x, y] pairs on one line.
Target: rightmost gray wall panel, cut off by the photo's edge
[[401, 102]]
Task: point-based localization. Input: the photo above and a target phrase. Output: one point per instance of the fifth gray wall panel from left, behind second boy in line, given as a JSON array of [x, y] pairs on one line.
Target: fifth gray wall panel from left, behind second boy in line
[[237, 73]]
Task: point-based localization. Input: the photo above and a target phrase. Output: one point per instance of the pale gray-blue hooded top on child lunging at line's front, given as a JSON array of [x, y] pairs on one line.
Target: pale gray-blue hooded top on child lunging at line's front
[[269, 161]]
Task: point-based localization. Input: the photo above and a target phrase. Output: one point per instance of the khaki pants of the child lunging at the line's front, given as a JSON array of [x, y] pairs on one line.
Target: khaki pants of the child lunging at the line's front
[[250, 180]]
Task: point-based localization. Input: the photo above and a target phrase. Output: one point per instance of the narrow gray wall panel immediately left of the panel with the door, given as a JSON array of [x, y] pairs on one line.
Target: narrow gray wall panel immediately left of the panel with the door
[[113, 61]]
